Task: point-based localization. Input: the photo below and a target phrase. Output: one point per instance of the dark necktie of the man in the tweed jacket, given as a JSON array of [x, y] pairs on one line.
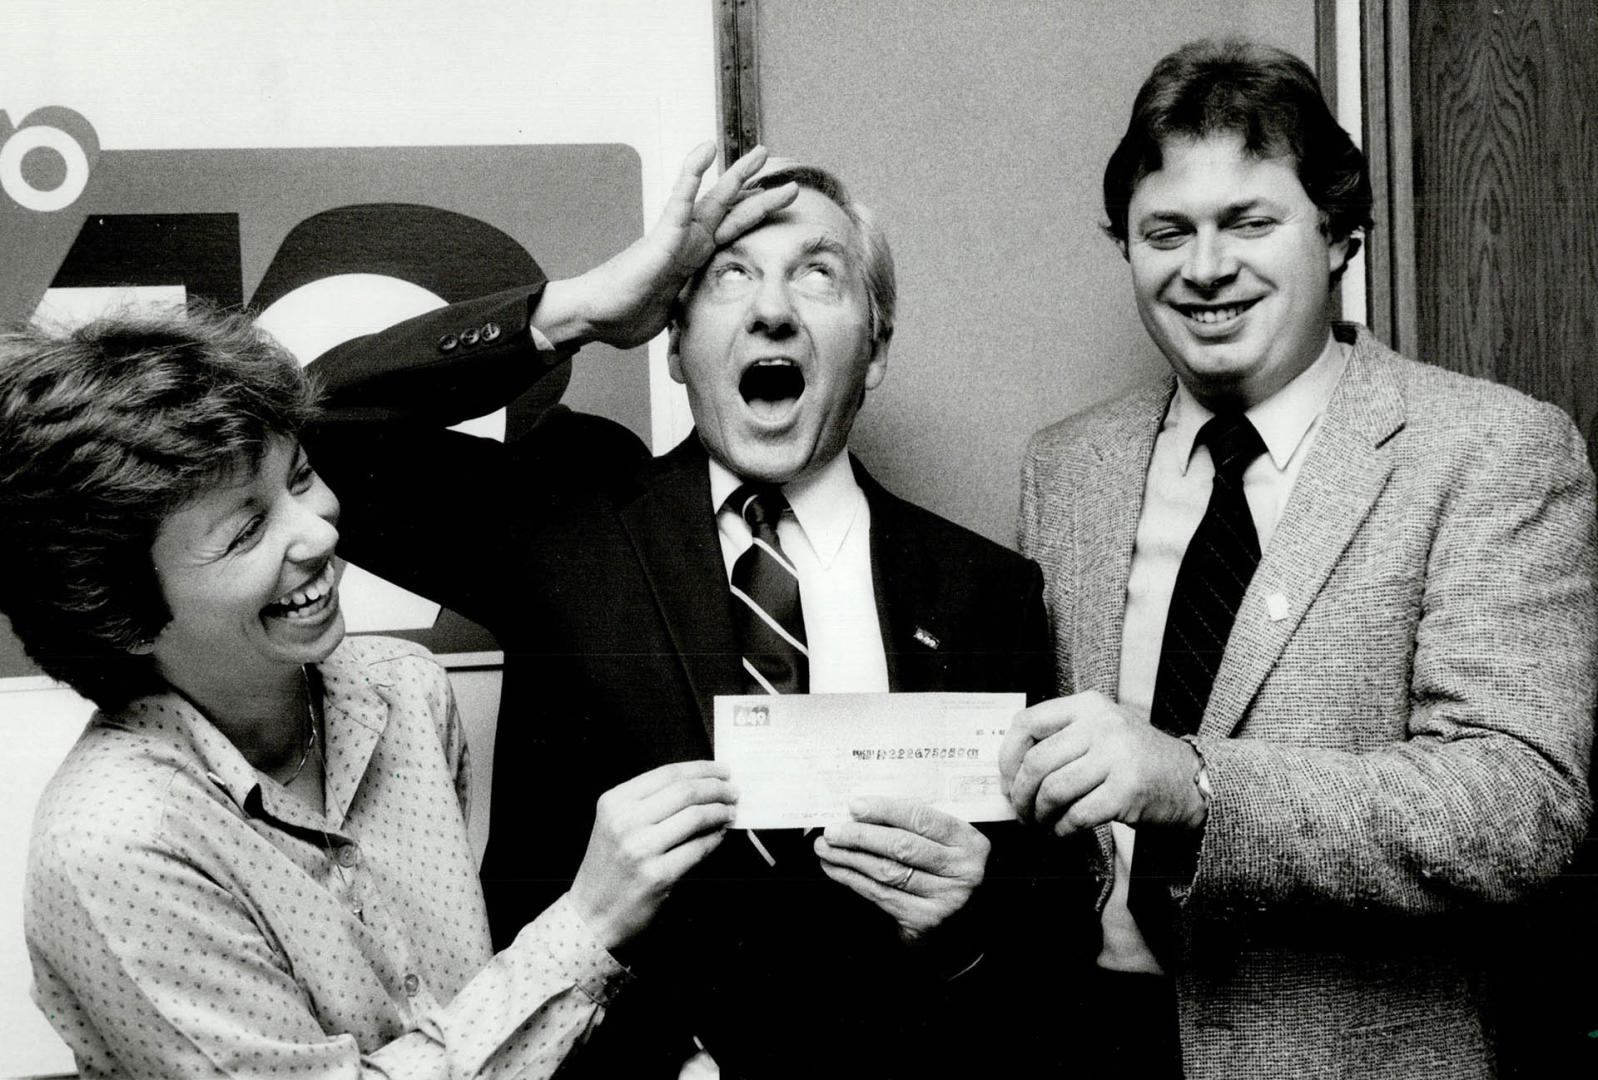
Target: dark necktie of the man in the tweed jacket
[[1220, 562]]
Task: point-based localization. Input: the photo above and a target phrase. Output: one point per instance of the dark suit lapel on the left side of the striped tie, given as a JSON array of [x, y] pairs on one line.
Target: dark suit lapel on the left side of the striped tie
[[674, 530]]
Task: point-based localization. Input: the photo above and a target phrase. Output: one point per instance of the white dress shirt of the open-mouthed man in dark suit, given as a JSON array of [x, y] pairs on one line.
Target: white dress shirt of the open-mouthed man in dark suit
[[829, 541]]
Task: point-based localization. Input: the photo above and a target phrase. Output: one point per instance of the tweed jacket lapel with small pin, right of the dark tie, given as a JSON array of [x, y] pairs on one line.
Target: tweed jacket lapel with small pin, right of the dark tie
[[1346, 471]]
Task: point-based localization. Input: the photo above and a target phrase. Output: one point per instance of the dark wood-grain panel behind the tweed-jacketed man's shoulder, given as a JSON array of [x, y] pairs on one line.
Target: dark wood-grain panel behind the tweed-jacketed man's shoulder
[[1506, 194]]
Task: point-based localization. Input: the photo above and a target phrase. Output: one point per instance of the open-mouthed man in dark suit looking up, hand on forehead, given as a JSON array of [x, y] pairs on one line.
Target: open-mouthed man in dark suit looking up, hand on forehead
[[758, 557]]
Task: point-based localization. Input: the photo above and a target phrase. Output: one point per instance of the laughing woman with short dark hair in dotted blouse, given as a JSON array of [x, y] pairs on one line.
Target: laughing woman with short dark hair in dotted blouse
[[261, 811]]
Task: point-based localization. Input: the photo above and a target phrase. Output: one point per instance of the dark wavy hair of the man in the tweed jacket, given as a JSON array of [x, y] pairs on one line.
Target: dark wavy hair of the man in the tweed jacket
[[1266, 97]]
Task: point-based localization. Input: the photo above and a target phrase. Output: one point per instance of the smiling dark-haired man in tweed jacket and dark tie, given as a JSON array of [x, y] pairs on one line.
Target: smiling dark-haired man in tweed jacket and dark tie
[[1324, 621]]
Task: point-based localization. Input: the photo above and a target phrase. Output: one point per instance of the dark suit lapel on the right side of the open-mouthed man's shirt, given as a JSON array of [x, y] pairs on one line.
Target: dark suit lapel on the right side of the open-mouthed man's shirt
[[907, 602]]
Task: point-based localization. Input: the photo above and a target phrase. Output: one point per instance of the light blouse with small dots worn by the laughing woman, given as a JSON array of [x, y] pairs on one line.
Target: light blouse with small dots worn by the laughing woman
[[186, 916]]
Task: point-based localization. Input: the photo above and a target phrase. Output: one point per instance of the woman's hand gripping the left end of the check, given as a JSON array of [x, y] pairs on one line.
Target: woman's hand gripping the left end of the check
[[648, 835]]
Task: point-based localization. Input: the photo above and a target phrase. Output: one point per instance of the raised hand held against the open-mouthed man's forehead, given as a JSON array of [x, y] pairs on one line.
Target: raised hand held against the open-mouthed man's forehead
[[627, 300]]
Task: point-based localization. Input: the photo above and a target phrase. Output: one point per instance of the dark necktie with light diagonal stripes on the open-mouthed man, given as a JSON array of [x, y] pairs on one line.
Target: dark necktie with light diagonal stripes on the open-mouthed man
[[766, 598]]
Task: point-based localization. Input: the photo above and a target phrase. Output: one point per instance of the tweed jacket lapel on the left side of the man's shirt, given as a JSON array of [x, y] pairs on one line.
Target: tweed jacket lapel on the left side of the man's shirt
[[1107, 512]]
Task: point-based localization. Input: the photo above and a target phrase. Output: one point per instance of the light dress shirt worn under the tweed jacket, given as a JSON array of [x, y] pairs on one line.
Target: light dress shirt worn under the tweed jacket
[[1175, 498]]
